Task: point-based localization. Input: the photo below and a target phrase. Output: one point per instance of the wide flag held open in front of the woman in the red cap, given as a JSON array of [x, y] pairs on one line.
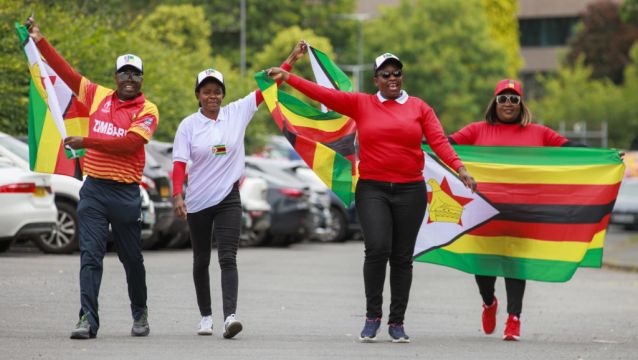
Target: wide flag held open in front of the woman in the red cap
[[545, 211]]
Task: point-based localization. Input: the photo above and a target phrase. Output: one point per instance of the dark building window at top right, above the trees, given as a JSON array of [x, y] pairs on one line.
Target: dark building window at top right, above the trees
[[547, 32]]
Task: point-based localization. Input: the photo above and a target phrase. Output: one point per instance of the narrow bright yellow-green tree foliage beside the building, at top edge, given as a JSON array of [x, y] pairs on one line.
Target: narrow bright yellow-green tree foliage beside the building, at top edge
[[503, 27]]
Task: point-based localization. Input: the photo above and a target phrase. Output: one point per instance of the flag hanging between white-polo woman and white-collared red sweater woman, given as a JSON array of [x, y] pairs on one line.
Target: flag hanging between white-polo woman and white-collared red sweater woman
[[324, 140]]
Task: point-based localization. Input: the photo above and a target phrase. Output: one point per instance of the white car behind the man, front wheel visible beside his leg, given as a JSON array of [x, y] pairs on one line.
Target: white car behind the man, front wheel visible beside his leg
[[63, 238]]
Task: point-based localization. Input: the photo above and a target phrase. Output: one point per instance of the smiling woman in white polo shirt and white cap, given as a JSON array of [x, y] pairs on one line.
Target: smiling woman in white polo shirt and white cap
[[213, 140]]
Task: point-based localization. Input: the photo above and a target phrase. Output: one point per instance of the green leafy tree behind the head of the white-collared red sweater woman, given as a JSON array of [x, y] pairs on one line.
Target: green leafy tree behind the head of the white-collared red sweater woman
[[449, 57]]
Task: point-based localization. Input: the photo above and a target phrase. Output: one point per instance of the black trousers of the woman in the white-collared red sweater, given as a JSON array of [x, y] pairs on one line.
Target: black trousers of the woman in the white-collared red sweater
[[390, 215]]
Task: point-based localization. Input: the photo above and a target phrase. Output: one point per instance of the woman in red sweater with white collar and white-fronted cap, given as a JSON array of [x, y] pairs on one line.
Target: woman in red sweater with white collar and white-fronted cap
[[390, 195]]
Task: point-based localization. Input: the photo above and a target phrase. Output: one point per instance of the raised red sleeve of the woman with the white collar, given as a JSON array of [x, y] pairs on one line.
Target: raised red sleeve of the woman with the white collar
[[343, 102]]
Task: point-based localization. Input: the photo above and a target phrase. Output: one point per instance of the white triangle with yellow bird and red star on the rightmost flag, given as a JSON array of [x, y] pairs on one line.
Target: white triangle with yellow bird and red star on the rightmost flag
[[450, 213]]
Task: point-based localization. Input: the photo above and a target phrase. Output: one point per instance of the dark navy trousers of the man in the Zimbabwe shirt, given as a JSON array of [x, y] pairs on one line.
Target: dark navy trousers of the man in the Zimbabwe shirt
[[104, 202]]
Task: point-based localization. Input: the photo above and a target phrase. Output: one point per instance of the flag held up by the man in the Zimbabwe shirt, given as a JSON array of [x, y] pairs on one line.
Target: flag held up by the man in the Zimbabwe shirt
[[54, 113]]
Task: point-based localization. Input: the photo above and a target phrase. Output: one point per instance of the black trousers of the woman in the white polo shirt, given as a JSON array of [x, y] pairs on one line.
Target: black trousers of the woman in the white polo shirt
[[226, 216]]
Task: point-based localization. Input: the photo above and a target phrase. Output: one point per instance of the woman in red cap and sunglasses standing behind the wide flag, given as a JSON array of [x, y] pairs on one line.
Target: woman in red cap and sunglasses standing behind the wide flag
[[507, 123]]
